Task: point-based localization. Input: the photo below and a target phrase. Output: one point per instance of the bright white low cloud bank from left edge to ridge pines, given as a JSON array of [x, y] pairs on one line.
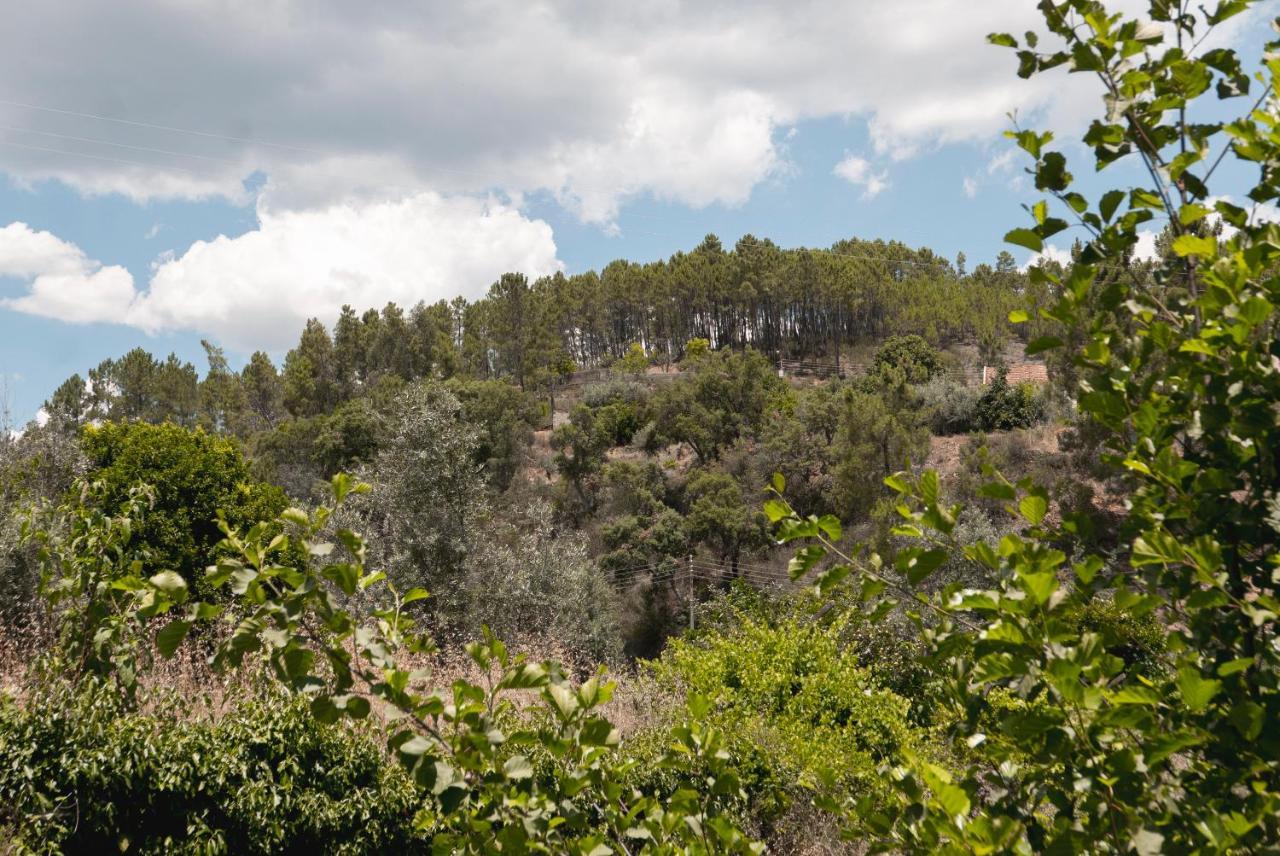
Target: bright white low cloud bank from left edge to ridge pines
[[255, 291]]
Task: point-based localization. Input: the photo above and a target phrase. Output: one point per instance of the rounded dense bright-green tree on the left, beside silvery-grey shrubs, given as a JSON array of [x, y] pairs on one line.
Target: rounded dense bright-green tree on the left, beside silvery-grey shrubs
[[194, 478]]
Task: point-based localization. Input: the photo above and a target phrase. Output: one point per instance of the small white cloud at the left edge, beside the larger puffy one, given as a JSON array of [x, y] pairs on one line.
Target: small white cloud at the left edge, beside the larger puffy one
[[62, 282]]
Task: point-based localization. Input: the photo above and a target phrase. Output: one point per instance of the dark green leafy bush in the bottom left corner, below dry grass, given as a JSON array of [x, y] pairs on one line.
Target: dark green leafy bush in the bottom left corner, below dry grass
[[81, 773]]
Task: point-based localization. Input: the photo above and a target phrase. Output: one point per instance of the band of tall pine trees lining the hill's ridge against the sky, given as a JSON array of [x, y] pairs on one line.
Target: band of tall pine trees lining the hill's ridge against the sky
[[801, 304]]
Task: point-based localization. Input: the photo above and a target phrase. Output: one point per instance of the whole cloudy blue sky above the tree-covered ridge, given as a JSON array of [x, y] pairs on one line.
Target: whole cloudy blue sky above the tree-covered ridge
[[225, 170]]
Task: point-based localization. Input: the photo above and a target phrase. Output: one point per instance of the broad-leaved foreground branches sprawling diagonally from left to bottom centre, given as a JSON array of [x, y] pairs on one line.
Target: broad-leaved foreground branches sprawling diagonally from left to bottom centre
[[469, 749]]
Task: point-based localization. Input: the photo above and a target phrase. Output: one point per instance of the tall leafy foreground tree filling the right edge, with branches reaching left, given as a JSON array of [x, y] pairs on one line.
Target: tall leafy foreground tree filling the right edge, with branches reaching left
[[1069, 747]]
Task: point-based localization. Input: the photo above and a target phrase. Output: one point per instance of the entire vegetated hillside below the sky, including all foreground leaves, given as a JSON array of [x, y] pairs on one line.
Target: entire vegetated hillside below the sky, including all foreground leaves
[[735, 552]]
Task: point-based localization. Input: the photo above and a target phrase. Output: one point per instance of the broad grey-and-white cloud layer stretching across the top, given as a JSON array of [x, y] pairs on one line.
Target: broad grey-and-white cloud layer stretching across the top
[[596, 103]]
